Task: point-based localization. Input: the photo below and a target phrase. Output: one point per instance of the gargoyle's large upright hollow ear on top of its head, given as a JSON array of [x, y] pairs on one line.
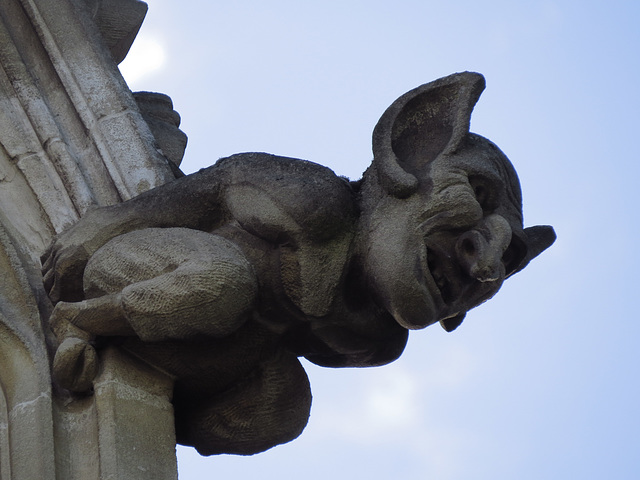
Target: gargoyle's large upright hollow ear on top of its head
[[421, 125]]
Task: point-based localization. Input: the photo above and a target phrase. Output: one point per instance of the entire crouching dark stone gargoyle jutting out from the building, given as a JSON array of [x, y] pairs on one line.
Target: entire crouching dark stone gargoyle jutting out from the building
[[224, 277]]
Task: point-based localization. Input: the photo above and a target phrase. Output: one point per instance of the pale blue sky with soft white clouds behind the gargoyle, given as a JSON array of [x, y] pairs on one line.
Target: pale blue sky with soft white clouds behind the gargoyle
[[539, 383]]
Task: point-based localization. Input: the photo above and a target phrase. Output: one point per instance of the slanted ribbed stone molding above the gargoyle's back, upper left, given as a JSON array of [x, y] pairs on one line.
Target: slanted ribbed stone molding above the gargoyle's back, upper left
[[70, 129]]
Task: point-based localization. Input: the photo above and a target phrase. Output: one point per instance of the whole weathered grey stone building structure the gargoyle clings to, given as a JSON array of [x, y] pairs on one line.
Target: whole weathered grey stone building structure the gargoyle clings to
[[71, 138]]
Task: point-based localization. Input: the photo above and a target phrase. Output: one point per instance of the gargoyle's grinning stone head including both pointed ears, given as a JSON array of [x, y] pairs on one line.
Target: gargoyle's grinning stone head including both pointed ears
[[444, 214]]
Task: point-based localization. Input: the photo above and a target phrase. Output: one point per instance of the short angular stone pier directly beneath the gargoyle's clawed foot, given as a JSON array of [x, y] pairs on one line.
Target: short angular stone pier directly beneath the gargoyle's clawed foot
[[123, 430]]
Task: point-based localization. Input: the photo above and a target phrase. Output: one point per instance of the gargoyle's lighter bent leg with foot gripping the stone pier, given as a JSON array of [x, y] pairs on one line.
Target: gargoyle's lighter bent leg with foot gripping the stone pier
[[158, 285]]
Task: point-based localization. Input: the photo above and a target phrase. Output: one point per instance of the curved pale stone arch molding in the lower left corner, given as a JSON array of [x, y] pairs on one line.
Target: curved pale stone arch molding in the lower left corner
[[26, 423]]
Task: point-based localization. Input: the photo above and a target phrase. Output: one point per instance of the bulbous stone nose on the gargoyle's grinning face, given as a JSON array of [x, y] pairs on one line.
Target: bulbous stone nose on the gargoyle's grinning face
[[480, 250]]
